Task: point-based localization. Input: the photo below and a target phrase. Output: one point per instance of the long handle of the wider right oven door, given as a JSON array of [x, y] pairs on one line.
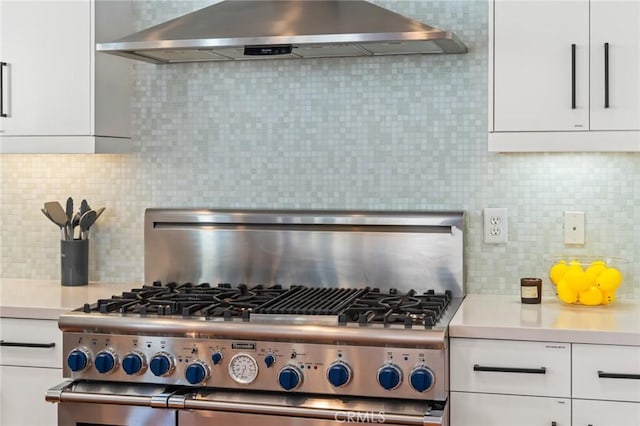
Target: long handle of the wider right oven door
[[186, 402]]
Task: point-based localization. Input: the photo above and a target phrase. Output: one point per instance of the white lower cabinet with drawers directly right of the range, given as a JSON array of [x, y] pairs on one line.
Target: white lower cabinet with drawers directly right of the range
[[508, 383]]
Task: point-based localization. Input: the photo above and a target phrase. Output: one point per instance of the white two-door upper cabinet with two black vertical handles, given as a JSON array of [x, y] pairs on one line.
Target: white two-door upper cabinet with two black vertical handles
[[551, 85]]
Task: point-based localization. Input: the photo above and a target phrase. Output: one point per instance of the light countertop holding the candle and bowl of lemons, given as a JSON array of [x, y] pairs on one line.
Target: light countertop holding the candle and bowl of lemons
[[505, 317]]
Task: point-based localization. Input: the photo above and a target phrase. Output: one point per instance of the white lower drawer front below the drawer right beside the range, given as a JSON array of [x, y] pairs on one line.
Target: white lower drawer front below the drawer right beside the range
[[479, 409]]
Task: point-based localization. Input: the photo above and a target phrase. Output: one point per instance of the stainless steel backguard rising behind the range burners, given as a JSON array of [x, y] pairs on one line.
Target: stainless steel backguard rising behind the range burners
[[350, 249]]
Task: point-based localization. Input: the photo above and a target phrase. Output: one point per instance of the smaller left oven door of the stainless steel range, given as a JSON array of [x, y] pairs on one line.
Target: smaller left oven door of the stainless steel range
[[112, 404]]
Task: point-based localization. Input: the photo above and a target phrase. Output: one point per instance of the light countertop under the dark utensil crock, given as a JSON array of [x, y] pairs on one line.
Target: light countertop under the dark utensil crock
[[44, 299]]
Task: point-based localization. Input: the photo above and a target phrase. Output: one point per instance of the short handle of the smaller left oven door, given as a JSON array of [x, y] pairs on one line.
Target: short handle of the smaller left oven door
[[64, 393]]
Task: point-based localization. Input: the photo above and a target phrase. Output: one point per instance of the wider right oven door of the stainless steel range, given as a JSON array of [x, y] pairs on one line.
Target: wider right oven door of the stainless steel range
[[224, 408]]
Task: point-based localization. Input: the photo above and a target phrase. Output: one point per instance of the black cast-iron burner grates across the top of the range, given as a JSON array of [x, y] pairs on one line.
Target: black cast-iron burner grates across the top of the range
[[362, 306]]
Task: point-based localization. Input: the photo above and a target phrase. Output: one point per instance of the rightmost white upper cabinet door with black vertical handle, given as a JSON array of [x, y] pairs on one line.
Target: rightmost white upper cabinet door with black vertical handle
[[616, 23]]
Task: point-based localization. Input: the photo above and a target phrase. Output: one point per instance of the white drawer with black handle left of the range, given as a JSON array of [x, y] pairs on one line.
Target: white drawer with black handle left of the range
[[33, 341]]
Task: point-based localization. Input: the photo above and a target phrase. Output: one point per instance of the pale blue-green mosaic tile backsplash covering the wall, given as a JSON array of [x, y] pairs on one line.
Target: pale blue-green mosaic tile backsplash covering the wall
[[387, 133]]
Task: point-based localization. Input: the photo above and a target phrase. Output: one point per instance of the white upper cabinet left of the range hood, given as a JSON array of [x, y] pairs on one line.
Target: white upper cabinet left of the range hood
[[58, 94]]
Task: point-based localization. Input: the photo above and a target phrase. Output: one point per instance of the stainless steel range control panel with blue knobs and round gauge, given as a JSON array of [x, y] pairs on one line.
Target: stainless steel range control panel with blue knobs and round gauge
[[258, 365]]
